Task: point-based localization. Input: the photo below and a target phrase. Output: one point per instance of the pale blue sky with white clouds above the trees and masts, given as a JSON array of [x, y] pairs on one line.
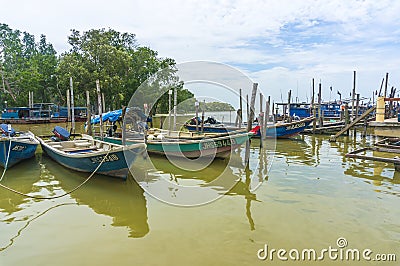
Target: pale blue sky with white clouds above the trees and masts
[[281, 44]]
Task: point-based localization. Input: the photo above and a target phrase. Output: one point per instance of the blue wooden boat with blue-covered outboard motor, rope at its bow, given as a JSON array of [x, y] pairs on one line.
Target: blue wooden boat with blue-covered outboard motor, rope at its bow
[[84, 154]]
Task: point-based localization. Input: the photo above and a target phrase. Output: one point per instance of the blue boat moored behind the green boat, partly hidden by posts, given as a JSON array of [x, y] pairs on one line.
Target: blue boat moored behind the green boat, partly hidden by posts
[[278, 130]]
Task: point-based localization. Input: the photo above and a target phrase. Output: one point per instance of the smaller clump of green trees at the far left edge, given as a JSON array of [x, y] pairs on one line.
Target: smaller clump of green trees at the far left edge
[[25, 66]]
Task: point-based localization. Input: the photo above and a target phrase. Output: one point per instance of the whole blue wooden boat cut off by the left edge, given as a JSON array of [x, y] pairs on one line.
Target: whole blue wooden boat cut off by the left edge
[[15, 146]]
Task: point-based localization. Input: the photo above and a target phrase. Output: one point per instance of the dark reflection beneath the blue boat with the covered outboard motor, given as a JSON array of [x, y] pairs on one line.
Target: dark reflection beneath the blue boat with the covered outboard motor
[[123, 201]]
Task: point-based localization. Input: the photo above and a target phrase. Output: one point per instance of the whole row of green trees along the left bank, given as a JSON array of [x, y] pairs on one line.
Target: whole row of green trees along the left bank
[[114, 58]]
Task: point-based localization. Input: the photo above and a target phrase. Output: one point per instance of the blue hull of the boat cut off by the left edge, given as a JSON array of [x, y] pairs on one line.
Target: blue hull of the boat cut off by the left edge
[[21, 149]]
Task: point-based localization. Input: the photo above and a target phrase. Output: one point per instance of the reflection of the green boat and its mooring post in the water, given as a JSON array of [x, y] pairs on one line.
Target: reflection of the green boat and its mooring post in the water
[[216, 178]]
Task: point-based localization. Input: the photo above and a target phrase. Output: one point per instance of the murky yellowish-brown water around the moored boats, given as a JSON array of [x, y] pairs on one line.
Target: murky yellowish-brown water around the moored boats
[[311, 196]]
